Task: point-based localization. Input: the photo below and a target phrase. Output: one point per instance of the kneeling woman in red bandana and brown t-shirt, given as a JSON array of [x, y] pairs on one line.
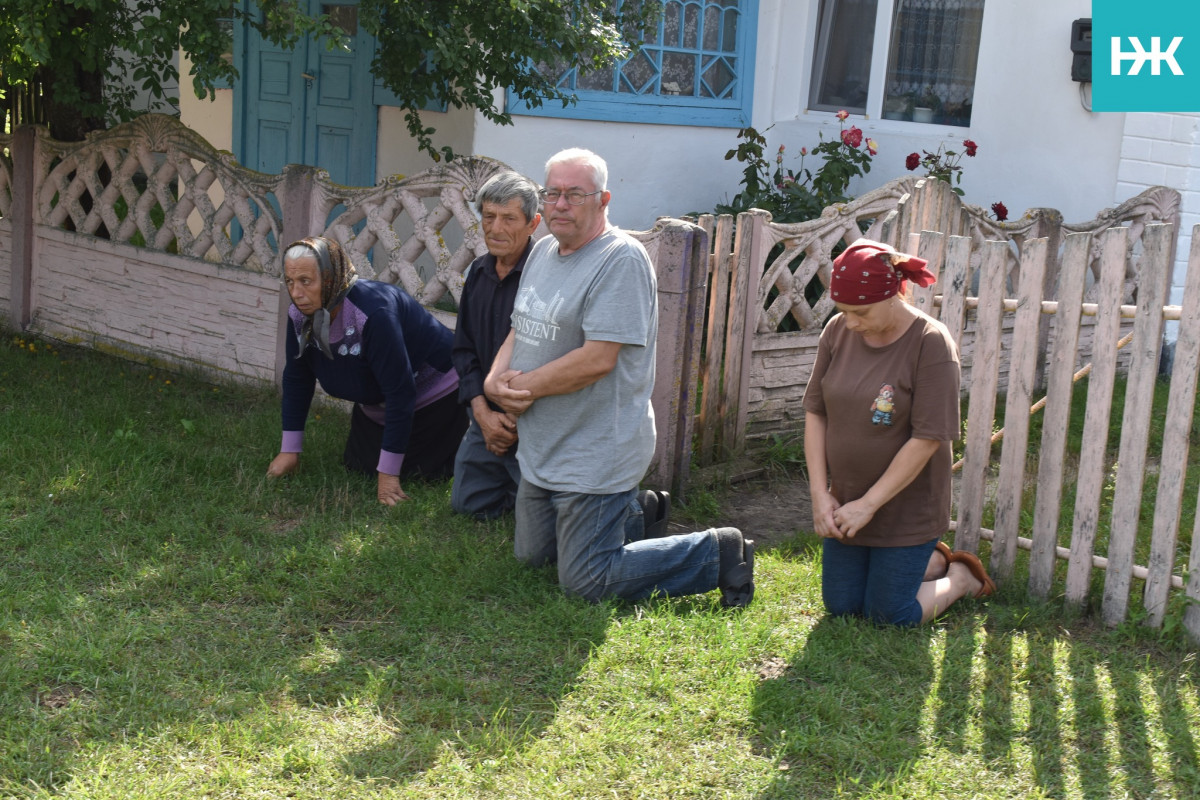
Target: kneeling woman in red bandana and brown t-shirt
[[881, 412]]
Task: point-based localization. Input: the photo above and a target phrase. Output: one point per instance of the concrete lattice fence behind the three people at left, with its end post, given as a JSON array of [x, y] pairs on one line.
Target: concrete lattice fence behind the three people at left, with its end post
[[147, 242]]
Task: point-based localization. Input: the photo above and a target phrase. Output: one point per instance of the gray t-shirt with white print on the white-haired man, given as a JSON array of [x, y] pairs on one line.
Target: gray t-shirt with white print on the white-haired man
[[599, 440]]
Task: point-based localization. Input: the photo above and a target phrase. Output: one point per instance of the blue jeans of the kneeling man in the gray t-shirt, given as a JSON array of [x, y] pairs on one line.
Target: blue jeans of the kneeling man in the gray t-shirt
[[585, 534]]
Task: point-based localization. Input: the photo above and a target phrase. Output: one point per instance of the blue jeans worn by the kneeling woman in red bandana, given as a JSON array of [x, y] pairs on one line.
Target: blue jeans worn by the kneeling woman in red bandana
[[879, 584]]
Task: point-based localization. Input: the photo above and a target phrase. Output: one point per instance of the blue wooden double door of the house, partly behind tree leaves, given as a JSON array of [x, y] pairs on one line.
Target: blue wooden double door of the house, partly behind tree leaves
[[309, 105]]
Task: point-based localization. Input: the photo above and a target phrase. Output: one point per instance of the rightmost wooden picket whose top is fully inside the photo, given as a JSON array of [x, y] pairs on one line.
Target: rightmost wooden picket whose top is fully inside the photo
[[1155, 268]]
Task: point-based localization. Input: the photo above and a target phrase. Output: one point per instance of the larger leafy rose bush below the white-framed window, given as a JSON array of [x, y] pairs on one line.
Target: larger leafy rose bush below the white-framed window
[[800, 195]]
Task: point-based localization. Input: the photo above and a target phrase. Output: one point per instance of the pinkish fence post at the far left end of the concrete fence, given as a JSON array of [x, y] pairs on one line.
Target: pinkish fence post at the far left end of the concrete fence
[[25, 207]]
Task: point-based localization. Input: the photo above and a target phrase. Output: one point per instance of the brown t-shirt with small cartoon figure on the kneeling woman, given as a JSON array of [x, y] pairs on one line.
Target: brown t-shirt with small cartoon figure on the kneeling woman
[[874, 400]]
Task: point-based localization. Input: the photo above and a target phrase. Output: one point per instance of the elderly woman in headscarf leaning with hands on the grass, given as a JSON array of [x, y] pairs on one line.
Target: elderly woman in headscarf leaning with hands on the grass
[[371, 344]]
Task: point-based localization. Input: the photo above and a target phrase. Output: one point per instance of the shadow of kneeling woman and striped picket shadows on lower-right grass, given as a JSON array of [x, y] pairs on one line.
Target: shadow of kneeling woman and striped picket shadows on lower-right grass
[[1027, 699]]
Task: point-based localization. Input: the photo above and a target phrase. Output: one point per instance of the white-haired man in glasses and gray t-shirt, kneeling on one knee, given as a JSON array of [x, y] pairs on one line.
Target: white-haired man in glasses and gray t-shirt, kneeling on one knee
[[578, 371]]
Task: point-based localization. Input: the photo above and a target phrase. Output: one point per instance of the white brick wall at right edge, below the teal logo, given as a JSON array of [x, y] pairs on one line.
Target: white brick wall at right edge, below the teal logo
[[1165, 149]]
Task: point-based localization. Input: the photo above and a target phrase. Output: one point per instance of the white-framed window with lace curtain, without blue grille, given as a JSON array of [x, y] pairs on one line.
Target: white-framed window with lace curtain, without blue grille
[[899, 59]]
